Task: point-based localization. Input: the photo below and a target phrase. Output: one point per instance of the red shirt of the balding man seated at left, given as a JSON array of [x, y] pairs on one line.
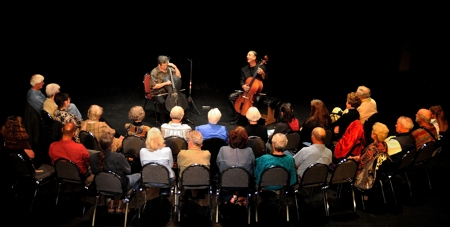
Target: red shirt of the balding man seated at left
[[71, 150]]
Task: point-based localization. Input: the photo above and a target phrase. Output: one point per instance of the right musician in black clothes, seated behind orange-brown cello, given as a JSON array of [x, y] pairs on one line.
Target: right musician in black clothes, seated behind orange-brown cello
[[247, 72]]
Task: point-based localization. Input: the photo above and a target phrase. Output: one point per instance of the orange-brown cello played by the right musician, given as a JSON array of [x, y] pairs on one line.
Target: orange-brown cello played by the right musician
[[246, 99]]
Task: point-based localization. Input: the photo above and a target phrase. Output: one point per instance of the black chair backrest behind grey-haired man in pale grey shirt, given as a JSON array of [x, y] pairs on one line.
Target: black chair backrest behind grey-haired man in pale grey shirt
[[315, 175]]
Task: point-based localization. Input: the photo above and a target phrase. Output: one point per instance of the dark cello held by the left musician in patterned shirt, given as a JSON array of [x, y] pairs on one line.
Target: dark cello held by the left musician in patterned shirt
[[174, 97]]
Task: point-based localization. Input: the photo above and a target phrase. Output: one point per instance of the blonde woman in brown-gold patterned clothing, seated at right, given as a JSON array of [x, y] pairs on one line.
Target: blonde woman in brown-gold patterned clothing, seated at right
[[379, 134]]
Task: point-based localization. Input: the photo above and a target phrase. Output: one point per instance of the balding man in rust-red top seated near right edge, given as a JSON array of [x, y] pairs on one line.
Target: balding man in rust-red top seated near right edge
[[426, 131]]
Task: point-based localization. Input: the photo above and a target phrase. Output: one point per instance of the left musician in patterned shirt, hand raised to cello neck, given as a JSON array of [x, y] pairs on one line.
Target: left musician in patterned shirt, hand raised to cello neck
[[161, 83]]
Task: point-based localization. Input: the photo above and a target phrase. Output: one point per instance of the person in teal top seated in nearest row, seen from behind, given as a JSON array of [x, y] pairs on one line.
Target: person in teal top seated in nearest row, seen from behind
[[277, 158]]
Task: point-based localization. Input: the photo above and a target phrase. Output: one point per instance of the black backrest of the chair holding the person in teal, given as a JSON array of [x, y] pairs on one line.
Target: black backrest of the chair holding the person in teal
[[274, 176]]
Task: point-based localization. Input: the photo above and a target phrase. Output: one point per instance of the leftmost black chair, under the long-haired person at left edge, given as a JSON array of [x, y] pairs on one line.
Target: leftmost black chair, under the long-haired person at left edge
[[25, 172]]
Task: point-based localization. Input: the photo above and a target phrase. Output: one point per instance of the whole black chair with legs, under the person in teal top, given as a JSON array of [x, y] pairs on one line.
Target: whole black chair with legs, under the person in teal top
[[274, 176]]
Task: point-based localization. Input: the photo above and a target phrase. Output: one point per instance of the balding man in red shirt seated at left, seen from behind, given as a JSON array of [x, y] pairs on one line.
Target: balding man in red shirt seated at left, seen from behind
[[69, 149]]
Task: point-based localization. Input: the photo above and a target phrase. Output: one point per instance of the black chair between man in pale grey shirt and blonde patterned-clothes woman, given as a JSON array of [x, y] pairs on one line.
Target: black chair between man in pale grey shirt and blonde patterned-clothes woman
[[343, 173]]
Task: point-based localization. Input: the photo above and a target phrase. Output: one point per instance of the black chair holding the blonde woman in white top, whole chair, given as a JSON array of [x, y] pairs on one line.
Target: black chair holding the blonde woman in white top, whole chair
[[155, 175]]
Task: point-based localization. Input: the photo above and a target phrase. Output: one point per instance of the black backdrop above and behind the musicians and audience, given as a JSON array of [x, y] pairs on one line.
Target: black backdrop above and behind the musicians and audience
[[321, 52]]
